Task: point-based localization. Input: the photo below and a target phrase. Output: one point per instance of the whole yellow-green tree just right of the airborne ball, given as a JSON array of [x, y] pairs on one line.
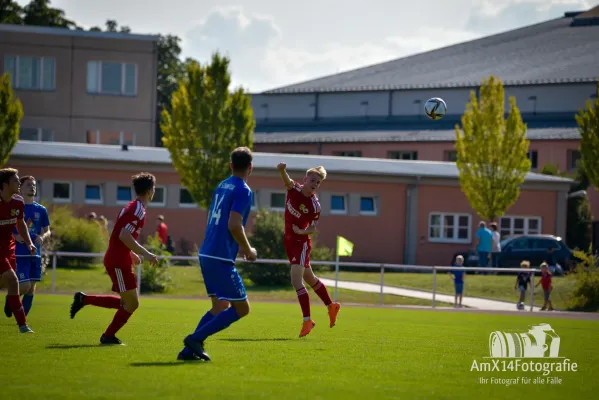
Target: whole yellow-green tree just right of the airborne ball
[[492, 151]]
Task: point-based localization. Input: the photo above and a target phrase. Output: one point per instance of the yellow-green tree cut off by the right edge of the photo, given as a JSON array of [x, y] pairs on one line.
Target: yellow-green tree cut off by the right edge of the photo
[[588, 125]]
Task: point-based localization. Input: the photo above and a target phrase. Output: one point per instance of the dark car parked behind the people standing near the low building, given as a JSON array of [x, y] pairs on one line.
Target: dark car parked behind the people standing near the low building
[[534, 248]]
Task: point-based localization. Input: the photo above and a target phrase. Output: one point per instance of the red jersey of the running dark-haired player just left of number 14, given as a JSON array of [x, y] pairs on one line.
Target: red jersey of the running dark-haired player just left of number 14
[[132, 217]]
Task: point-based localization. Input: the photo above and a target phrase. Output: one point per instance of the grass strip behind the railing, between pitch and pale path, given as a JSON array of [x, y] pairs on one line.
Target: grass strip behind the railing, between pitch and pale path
[[187, 281]]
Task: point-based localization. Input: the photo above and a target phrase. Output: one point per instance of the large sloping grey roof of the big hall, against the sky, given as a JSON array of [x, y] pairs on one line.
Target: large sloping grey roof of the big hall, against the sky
[[549, 52]]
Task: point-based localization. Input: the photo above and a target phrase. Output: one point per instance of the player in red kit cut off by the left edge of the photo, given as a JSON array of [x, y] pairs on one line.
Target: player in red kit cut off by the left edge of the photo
[[12, 208]]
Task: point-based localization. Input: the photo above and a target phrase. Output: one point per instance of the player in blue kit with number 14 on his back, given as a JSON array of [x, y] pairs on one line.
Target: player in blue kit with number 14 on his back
[[225, 237]]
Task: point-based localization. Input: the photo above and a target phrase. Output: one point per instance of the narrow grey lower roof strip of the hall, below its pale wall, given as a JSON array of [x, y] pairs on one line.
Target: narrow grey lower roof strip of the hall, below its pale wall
[[399, 136]]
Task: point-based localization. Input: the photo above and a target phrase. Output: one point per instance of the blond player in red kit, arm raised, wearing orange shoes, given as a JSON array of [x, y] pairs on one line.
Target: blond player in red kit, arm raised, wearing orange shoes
[[302, 212]]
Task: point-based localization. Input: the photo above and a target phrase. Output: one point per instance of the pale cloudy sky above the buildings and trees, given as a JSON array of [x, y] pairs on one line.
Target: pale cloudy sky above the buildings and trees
[[274, 43]]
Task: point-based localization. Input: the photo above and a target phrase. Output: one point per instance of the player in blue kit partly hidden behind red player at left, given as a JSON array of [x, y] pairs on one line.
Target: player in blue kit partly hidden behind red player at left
[[29, 268]]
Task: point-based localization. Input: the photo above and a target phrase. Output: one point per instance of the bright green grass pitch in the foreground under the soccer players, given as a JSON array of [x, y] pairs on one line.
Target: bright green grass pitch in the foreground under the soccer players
[[372, 353]]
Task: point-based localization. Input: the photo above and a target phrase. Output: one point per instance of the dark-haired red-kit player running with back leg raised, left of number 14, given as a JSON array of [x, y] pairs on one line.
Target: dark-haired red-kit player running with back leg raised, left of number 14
[[122, 254]]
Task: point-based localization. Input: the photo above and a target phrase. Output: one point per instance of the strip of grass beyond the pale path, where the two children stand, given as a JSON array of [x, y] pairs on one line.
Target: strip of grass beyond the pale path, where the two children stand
[[495, 287]]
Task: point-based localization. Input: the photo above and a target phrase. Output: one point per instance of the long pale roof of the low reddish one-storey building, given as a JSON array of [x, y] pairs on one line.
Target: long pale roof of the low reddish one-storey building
[[262, 161]]
